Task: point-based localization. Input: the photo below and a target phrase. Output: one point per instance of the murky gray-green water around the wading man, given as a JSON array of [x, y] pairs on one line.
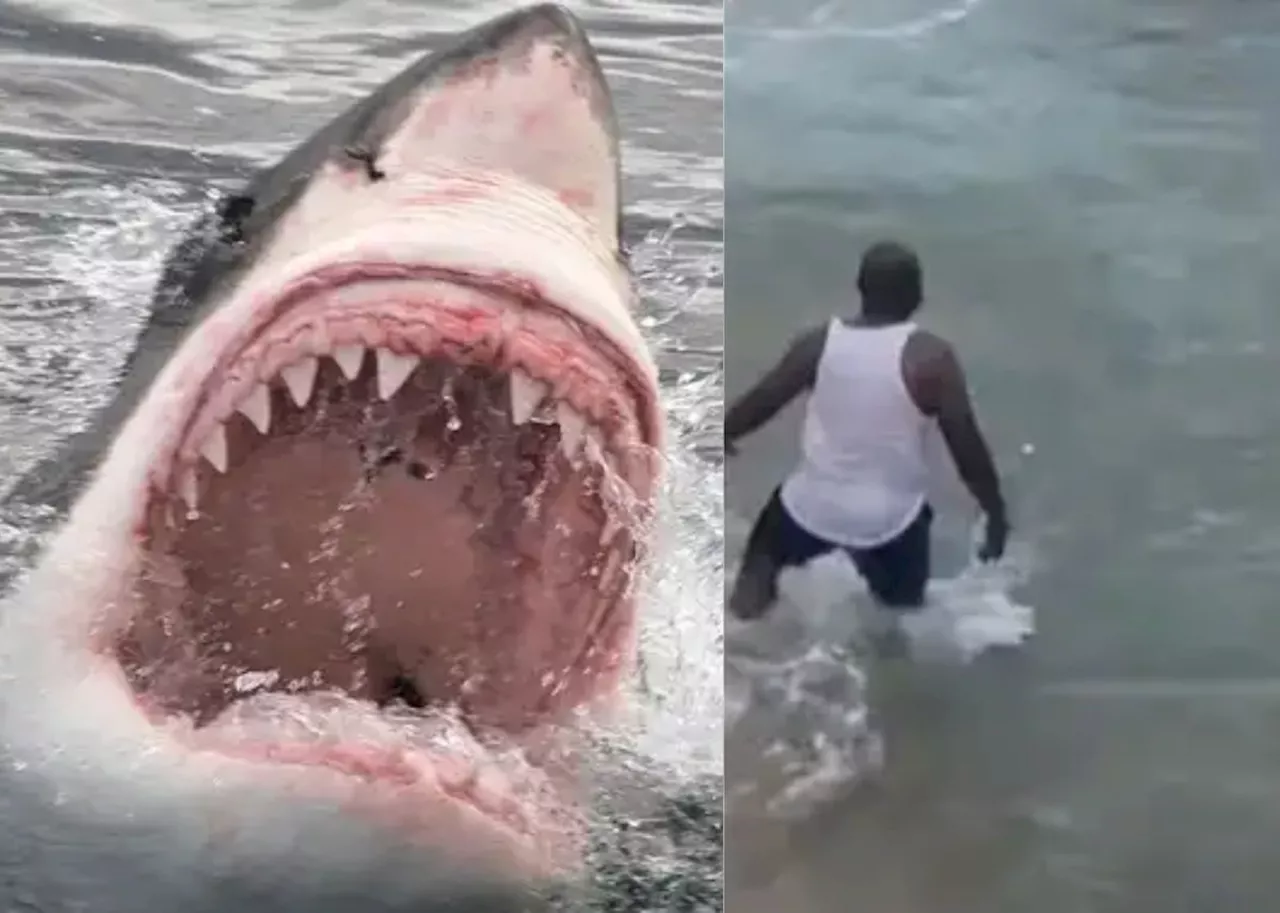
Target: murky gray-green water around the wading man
[[1092, 186]]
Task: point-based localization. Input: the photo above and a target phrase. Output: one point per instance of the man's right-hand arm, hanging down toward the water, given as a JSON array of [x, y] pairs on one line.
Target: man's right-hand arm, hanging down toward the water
[[944, 394]]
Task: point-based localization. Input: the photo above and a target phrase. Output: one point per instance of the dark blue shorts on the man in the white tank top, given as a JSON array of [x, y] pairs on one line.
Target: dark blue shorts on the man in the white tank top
[[897, 572]]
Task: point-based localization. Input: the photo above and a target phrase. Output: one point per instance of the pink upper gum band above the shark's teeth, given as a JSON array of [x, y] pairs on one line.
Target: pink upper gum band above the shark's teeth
[[472, 319]]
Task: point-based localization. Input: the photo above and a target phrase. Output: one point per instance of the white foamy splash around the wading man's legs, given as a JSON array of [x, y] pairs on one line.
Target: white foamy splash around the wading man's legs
[[802, 673]]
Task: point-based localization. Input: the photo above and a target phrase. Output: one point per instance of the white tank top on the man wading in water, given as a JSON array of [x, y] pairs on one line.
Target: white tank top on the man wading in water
[[863, 476]]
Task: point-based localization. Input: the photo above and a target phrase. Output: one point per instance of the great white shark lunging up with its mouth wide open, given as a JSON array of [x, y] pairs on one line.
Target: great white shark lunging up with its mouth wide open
[[359, 532]]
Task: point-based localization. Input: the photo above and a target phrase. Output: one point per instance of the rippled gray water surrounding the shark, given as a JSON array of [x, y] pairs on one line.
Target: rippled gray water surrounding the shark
[[116, 121]]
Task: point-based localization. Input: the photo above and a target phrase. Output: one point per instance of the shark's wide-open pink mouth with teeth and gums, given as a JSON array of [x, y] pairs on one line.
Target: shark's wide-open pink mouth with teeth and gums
[[397, 492]]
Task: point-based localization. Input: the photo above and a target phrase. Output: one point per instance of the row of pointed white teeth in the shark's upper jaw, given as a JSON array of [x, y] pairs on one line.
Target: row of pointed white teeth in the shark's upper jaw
[[527, 395]]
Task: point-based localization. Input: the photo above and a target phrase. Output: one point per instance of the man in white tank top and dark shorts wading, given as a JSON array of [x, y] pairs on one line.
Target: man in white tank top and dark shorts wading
[[877, 384]]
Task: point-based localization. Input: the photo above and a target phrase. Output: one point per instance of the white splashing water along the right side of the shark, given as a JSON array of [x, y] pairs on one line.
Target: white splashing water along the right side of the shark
[[669, 859]]
